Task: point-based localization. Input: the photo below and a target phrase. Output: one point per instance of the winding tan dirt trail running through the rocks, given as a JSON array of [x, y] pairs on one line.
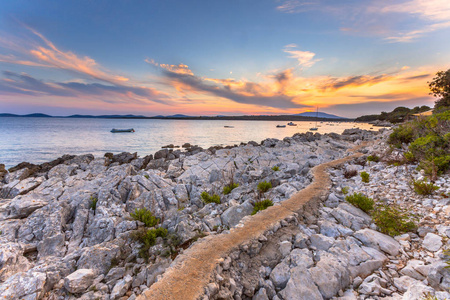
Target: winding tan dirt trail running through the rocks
[[191, 271]]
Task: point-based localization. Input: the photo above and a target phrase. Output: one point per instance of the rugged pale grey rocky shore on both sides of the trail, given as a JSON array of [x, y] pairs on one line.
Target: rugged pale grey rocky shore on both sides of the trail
[[66, 230]]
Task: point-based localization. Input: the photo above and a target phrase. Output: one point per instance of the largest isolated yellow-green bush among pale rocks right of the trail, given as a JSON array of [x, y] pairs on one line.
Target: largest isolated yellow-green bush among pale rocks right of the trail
[[393, 220]]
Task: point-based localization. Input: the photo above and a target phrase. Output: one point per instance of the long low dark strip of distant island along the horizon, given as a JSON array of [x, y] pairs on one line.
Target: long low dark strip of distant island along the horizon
[[306, 116]]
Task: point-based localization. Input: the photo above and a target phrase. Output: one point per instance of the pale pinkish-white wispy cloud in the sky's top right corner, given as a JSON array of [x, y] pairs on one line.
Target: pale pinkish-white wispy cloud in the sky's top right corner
[[396, 21]]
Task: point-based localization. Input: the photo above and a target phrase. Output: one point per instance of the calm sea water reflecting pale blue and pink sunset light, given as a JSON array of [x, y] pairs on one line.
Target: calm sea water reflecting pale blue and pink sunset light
[[38, 140]]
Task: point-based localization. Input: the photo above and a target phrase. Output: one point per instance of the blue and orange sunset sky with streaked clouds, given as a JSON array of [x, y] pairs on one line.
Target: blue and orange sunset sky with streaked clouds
[[221, 57]]
